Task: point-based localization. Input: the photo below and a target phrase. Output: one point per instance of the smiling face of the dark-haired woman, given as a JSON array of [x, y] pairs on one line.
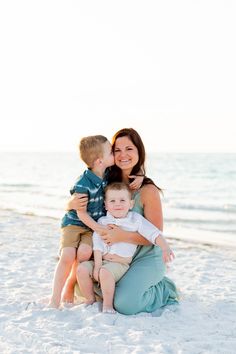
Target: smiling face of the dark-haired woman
[[125, 153]]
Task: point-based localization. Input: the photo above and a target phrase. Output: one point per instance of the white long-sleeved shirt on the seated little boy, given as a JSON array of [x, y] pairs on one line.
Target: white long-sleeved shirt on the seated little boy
[[132, 222]]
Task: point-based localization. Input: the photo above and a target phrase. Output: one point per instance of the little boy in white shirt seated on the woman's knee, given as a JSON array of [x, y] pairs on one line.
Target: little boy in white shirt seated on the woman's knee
[[111, 262]]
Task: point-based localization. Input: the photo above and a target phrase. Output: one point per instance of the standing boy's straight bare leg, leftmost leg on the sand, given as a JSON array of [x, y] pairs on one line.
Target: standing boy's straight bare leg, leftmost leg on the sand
[[62, 271]]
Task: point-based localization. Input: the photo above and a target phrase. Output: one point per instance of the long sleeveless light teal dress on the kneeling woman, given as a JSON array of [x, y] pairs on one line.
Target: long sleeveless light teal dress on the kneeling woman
[[144, 288]]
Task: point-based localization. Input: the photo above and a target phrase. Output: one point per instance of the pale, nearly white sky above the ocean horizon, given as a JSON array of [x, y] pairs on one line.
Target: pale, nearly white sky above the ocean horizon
[[74, 68]]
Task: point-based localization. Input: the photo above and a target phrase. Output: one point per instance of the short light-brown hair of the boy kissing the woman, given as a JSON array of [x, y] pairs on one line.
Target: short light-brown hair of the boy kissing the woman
[[91, 148]]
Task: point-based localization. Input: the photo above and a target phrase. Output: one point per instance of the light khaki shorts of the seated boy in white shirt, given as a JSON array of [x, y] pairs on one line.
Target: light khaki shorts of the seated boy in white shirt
[[115, 268]]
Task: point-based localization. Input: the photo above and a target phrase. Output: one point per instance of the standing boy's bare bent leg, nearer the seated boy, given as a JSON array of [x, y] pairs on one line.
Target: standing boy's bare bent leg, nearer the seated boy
[[84, 253]]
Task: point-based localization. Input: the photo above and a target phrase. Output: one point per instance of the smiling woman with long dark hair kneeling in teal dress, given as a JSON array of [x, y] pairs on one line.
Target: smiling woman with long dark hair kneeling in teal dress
[[144, 288]]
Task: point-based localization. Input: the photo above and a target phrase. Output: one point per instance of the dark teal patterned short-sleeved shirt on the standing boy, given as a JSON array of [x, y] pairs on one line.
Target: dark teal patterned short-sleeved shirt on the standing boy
[[93, 186]]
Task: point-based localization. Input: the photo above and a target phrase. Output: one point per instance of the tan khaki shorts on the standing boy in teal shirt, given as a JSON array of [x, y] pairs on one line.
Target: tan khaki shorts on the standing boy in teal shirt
[[73, 236]]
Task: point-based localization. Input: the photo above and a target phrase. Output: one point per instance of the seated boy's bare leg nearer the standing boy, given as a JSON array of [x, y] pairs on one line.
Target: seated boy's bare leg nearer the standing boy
[[86, 284]]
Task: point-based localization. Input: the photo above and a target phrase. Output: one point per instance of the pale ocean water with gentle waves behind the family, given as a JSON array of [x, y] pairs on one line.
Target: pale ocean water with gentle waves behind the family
[[199, 190]]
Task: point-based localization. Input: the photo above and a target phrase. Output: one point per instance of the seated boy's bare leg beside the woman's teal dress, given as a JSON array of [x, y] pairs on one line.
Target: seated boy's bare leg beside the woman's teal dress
[[108, 288]]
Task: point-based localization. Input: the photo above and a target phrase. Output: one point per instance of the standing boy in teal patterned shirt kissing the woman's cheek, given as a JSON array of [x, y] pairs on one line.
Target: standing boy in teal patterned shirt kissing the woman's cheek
[[76, 239]]
